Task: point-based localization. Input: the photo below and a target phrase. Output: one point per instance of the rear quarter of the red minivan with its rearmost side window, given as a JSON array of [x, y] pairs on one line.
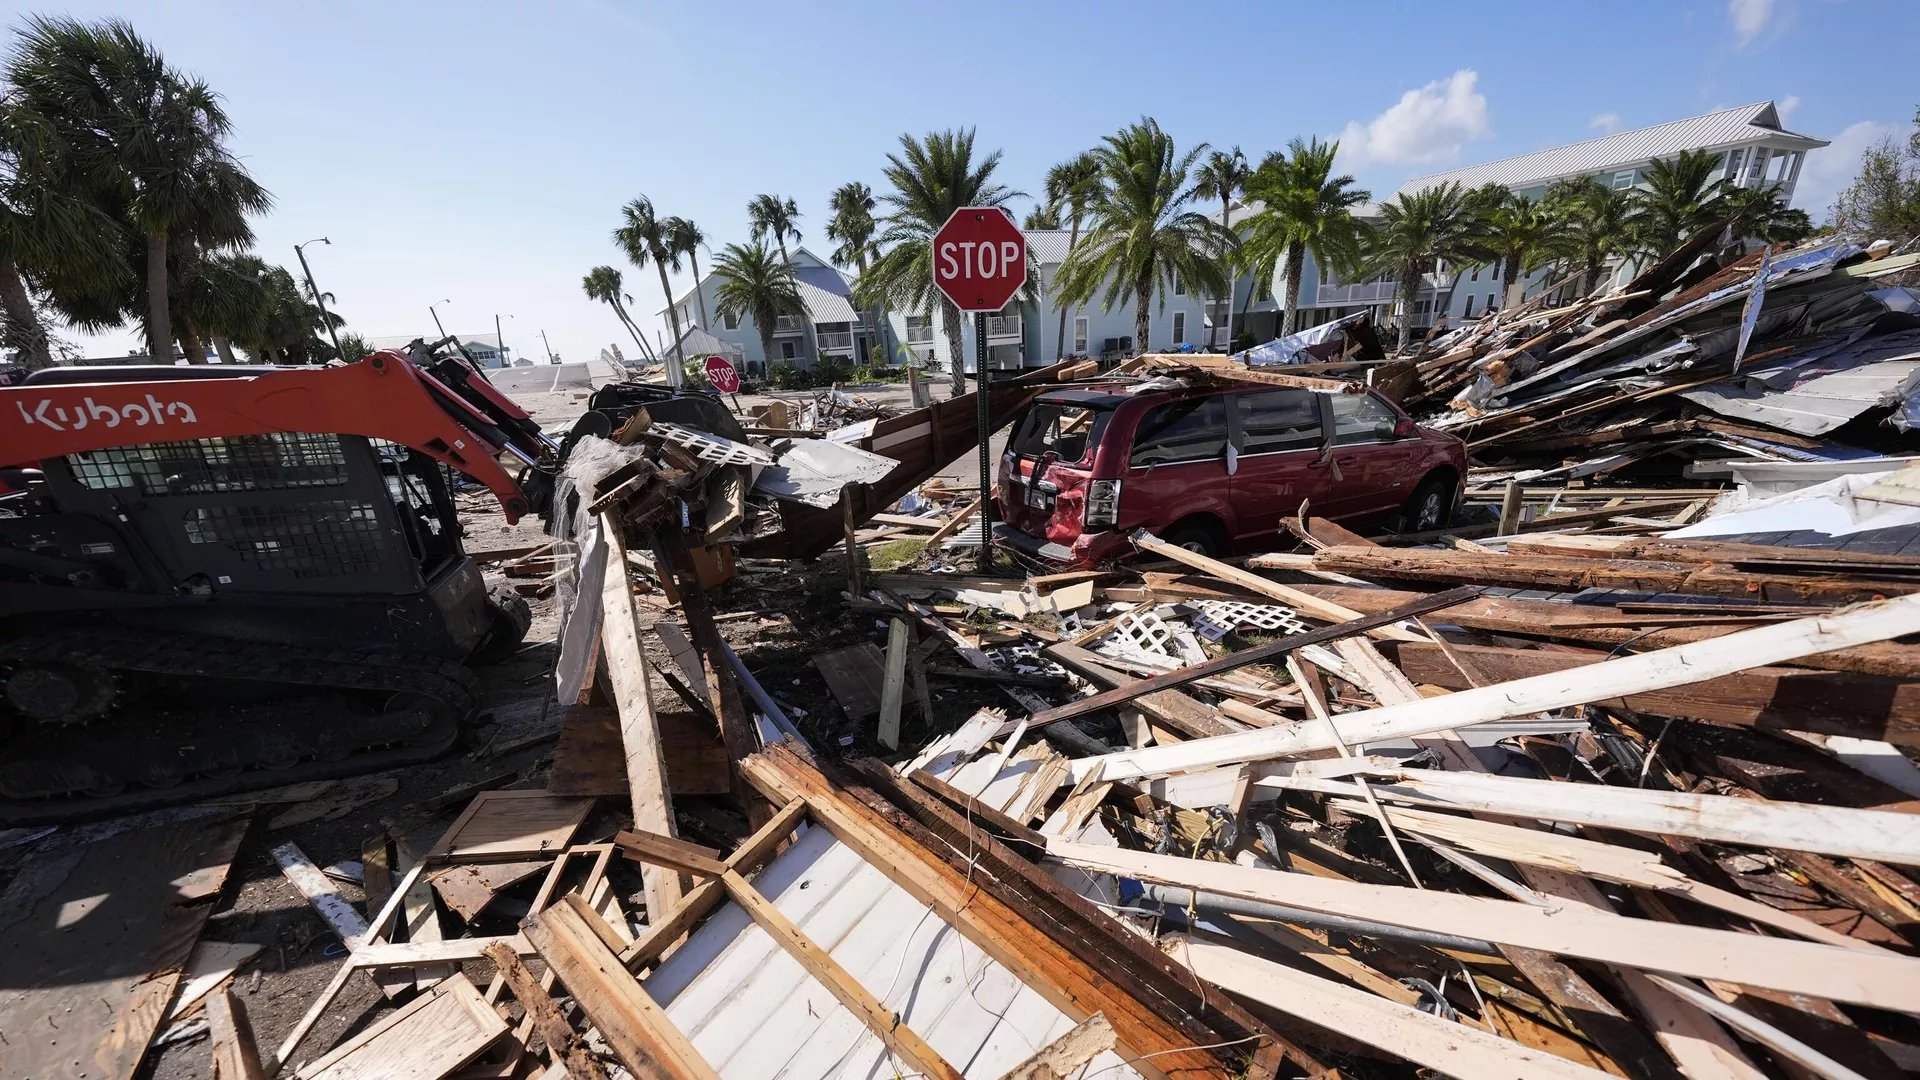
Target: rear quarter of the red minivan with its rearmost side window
[[1178, 466]]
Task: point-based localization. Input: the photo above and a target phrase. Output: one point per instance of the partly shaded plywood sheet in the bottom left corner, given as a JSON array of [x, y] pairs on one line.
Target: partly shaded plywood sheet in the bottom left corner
[[95, 939]]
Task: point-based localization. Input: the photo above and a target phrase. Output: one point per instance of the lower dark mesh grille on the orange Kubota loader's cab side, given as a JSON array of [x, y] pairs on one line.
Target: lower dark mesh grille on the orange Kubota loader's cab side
[[320, 539]]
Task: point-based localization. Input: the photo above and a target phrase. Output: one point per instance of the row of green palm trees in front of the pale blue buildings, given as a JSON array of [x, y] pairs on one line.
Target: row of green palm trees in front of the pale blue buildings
[[1141, 214]]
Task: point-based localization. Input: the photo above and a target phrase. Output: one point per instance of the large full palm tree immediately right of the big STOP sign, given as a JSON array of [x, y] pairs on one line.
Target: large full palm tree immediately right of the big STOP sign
[[1143, 232]]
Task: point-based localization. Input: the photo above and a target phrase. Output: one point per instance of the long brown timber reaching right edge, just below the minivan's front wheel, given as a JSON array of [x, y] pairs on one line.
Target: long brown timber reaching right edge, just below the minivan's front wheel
[[1575, 574]]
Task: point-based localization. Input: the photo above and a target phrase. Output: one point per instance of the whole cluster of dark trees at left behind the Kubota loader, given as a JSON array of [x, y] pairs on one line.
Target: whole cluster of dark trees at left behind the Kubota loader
[[122, 203]]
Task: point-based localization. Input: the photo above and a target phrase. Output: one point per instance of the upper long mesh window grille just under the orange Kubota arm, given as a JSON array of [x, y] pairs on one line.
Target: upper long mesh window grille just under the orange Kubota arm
[[208, 466]]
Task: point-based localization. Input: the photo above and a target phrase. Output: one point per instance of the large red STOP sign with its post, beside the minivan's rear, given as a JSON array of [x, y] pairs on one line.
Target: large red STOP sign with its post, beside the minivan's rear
[[980, 262]]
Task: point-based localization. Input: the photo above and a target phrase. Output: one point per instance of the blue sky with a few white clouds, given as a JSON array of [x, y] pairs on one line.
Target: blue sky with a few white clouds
[[481, 153]]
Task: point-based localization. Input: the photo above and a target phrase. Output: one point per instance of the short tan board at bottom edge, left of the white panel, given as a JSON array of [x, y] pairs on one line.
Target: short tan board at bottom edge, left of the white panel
[[633, 1023]]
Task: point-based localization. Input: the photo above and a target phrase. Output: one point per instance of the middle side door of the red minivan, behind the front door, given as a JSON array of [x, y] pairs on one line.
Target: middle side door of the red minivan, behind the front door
[[1280, 460]]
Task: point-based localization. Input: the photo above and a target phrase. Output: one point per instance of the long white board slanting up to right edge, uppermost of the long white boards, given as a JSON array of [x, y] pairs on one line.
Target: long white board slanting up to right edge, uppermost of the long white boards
[[1602, 681]]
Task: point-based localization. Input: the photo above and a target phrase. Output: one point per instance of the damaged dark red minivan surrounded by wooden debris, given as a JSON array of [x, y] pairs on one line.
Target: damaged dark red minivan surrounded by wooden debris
[[1214, 470]]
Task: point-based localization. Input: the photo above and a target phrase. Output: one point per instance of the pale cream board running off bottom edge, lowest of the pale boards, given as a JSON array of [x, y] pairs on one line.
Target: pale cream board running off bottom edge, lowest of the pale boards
[[1445, 1046]]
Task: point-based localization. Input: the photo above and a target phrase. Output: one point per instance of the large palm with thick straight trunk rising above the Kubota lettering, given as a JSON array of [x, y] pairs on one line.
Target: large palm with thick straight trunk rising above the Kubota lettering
[[143, 135]]
